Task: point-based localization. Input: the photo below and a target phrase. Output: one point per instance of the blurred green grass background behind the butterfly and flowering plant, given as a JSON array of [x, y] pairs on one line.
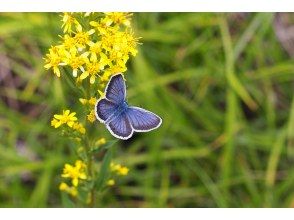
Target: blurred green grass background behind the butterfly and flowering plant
[[223, 84]]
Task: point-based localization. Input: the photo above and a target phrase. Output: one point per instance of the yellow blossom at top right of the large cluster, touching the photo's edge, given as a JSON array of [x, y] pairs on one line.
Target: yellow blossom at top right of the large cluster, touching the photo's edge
[[117, 18]]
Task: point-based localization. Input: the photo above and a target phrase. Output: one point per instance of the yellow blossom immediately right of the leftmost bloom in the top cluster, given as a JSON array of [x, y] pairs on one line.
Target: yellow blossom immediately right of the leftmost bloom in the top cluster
[[75, 60]]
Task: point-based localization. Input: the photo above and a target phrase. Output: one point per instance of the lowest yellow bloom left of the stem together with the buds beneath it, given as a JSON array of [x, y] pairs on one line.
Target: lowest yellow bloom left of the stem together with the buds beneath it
[[75, 173]]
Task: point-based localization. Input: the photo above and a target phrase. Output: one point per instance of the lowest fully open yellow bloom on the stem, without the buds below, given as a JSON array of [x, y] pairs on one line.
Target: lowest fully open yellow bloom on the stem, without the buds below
[[75, 172]]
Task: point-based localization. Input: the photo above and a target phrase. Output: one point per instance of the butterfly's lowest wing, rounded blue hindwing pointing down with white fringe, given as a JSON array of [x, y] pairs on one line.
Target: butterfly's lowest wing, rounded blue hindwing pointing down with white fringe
[[120, 127]]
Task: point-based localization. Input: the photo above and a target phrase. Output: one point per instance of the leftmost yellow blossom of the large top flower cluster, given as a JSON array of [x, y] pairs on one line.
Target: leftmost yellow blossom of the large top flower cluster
[[54, 59]]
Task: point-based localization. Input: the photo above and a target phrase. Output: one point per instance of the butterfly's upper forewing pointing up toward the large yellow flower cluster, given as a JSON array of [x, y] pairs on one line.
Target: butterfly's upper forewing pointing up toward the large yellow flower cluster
[[116, 89]]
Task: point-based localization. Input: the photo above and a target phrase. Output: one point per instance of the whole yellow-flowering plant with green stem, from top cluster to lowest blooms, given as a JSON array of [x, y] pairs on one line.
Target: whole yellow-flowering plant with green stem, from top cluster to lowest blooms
[[92, 48]]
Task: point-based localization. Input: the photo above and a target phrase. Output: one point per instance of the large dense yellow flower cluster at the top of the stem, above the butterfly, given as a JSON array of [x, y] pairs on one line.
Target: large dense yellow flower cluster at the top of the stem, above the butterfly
[[98, 51]]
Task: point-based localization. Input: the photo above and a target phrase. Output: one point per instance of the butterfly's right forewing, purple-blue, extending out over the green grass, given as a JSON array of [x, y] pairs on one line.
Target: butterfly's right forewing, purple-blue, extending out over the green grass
[[142, 120]]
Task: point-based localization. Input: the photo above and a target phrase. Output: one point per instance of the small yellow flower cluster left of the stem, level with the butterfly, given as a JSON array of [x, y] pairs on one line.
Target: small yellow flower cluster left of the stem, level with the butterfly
[[68, 119]]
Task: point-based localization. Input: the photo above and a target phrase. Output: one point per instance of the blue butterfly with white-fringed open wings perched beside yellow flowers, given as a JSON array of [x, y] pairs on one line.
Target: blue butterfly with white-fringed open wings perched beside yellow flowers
[[120, 118]]
